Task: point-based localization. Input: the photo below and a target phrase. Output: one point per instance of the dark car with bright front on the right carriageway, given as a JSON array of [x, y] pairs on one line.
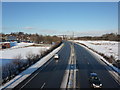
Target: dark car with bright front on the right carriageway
[[95, 81]]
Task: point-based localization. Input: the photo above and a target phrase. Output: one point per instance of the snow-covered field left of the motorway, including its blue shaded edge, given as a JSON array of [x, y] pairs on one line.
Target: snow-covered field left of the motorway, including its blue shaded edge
[[11, 53]]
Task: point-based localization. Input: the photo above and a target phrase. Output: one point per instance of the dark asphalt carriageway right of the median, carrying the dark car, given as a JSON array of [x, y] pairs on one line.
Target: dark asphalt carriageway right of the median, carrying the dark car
[[86, 63]]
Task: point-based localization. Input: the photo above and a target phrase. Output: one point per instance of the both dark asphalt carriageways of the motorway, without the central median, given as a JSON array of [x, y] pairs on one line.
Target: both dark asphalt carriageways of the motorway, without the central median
[[51, 74]]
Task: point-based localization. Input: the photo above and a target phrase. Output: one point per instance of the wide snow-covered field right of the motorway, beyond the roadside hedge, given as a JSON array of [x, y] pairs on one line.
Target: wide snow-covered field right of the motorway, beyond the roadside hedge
[[106, 47]]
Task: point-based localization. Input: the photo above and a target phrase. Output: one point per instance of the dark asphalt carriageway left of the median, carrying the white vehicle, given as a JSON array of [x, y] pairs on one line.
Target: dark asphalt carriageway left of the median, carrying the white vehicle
[[51, 74]]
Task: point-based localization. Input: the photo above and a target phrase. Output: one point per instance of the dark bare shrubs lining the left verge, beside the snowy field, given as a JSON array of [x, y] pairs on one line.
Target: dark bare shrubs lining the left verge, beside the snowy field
[[18, 64]]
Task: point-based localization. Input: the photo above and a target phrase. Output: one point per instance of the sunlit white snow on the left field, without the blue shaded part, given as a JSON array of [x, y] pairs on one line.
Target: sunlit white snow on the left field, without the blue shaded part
[[10, 54]]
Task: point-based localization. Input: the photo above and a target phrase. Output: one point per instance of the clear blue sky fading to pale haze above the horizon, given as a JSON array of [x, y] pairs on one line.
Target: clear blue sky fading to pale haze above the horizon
[[60, 18]]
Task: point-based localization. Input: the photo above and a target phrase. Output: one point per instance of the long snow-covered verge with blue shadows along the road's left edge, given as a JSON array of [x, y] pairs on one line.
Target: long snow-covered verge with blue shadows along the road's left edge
[[19, 78]]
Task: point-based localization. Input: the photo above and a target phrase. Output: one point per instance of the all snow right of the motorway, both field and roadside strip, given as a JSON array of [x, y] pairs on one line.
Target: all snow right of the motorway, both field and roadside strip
[[106, 47]]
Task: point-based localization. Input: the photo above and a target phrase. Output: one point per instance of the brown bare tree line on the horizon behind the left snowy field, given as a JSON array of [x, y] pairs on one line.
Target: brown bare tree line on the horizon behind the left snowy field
[[36, 38]]
